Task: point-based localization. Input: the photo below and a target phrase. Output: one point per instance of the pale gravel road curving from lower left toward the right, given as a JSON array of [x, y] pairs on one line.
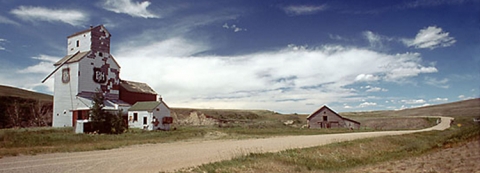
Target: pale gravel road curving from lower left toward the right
[[172, 156]]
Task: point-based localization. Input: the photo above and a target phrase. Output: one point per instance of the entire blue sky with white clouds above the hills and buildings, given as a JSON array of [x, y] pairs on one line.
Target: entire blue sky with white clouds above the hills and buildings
[[284, 56]]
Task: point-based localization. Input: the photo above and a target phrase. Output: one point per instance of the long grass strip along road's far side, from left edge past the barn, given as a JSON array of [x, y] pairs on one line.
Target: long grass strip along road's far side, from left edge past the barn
[[31, 141]]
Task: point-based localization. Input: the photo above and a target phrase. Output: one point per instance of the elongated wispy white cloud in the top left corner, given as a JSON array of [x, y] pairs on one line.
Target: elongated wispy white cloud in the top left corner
[[69, 16]]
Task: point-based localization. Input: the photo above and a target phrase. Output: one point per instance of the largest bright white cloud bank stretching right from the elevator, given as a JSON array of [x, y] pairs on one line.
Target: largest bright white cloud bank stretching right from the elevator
[[259, 80]]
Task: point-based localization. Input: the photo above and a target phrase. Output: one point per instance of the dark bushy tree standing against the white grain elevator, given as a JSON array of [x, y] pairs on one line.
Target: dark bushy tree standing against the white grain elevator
[[104, 121]]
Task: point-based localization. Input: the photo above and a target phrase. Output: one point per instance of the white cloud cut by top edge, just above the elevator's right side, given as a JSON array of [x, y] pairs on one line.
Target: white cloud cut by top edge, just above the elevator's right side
[[134, 9]]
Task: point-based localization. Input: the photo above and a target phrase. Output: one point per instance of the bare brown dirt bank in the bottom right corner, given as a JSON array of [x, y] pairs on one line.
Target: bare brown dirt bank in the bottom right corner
[[462, 159]]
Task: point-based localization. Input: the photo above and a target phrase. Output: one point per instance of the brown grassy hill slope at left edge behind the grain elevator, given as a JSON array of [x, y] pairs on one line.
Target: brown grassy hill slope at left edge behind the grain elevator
[[16, 92]]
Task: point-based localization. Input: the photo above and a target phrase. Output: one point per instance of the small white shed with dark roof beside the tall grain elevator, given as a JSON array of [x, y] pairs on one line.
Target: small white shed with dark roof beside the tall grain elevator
[[150, 115]]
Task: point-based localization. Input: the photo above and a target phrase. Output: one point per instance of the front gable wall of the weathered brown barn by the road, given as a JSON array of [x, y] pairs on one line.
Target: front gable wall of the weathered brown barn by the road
[[316, 120]]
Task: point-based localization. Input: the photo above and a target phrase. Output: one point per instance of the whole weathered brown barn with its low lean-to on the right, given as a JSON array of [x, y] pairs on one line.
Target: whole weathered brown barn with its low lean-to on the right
[[327, 118]]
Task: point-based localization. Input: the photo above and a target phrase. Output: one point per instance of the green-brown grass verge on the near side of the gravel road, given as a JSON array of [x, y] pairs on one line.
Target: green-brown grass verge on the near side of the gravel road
[[339, 157]]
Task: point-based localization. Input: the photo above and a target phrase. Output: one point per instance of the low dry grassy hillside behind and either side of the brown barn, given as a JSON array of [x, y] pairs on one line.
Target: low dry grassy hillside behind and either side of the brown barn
[[379, 120]]
